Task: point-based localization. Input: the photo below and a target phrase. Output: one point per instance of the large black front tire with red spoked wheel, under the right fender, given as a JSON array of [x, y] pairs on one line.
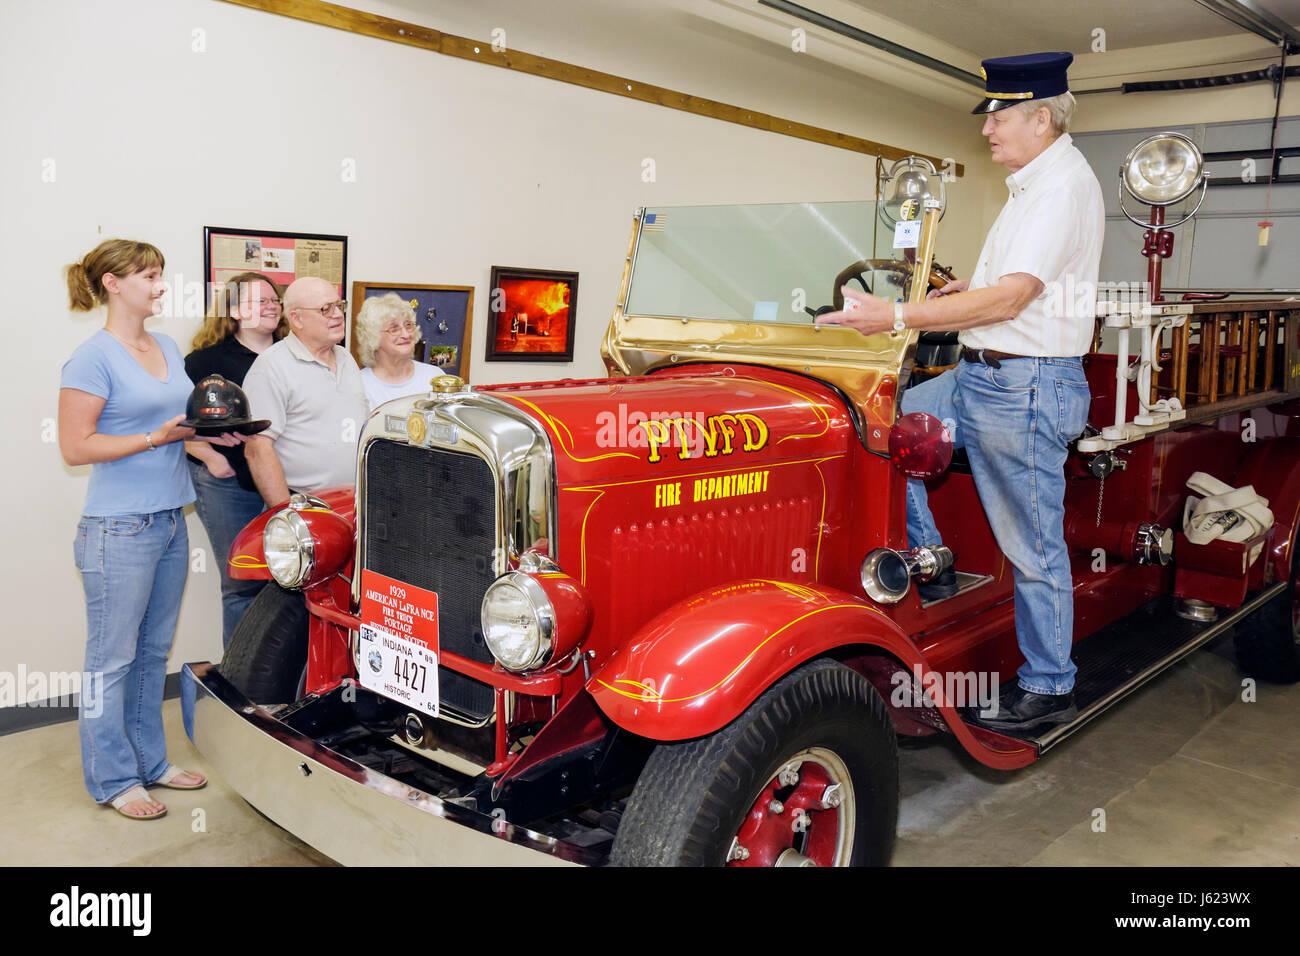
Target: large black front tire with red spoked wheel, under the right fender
[[807, 776]]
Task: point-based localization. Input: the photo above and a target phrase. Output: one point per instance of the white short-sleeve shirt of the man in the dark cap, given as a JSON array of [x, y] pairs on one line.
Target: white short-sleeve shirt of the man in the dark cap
[[1051, 228]]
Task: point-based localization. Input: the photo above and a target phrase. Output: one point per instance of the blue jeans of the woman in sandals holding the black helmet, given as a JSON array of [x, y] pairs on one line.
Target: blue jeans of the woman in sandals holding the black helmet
[[133, 572]]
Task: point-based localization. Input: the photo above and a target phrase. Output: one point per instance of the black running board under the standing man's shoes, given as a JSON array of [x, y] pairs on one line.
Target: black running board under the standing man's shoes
[[1124, 656]]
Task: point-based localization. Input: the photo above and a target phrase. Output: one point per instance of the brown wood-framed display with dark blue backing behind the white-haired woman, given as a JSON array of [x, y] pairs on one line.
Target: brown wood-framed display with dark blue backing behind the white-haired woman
[[445, 317]]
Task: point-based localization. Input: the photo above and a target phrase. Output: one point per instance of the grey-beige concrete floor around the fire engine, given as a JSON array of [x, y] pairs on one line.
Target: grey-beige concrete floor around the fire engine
[[1186, 773]]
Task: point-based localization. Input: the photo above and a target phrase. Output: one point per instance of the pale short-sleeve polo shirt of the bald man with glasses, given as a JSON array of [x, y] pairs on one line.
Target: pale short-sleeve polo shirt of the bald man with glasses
[[317, 414]]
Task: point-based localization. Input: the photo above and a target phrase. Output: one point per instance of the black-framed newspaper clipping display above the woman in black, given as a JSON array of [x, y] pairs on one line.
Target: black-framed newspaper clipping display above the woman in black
[[283, 257]]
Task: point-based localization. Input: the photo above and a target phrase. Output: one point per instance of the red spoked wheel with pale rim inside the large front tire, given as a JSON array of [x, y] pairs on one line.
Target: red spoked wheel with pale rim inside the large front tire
[[804, 817]]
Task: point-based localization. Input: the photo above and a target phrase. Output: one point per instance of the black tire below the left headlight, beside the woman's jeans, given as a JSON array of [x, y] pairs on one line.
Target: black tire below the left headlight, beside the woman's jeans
[[268, 651]]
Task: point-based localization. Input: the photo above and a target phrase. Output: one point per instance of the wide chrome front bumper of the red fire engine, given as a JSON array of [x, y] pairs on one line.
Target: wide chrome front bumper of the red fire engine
[[350, 814]]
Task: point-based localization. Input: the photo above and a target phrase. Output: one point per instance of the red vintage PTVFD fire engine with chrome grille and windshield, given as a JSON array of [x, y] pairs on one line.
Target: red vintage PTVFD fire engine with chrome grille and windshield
[[668, 617]]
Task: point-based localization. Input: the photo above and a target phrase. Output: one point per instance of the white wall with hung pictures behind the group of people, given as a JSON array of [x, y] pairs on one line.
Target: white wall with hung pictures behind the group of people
[[458, 167]]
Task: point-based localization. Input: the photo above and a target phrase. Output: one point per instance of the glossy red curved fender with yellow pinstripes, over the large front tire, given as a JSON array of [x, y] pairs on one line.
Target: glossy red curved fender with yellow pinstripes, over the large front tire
[[701, 663]]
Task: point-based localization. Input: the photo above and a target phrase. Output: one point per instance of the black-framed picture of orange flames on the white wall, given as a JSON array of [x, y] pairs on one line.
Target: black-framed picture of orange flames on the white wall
[[531, 315]]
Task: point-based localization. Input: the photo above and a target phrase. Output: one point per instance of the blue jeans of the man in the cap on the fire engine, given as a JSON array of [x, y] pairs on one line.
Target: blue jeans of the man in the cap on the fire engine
[[1016, 423]]
